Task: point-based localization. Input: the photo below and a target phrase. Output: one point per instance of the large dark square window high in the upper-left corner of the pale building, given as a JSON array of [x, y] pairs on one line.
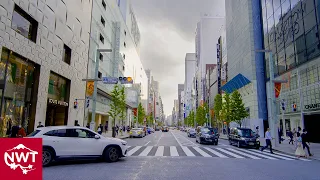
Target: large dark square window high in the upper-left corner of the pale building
[[24, 24]]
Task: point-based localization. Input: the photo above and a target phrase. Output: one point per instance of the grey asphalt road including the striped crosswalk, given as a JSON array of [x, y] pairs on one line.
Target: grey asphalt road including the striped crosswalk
[[172, 155]]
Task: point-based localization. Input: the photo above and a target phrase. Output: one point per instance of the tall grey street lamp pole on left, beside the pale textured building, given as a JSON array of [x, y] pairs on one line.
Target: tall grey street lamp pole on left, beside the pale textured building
[[94, 97]]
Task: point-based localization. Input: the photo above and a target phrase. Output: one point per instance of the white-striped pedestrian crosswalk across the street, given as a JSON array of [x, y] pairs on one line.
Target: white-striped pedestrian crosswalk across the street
[[202, 151]]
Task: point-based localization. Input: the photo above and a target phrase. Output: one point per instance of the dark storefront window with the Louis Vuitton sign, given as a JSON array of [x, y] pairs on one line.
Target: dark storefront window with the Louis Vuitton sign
[[58, 100]]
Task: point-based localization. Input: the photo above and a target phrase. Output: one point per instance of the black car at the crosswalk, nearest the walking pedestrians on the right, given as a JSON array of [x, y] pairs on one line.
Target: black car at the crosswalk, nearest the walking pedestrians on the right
[[243, 137]]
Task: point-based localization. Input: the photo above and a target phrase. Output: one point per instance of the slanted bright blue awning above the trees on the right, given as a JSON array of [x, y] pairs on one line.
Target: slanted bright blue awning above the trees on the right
[[235, 83]]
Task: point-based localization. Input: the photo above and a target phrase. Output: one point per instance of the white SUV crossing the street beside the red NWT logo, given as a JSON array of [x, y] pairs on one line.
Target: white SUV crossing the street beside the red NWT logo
[[60, 142]]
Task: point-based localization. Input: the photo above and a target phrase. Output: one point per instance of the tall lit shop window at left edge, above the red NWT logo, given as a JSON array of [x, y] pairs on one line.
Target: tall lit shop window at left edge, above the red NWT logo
[[19, 79]]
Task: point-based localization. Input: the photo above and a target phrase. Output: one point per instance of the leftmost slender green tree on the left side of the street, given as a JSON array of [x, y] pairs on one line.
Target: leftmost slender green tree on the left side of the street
[[115, 104]]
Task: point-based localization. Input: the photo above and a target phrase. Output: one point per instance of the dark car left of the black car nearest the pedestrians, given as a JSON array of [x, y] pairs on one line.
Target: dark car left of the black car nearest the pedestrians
[[206, 135]]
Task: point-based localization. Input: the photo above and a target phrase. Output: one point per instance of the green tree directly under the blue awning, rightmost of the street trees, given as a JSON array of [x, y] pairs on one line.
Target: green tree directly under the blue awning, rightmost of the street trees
[[238, 111]]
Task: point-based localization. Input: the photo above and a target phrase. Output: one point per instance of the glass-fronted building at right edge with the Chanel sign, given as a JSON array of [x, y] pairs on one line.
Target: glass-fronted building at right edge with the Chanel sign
[[291, 31]]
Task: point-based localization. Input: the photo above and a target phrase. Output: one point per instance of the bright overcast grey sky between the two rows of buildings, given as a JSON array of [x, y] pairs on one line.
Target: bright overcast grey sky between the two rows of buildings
[[167, 30]]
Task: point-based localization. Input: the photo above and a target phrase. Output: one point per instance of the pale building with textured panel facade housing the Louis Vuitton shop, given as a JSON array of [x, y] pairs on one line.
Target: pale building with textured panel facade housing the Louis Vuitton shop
[[44, 55]]
